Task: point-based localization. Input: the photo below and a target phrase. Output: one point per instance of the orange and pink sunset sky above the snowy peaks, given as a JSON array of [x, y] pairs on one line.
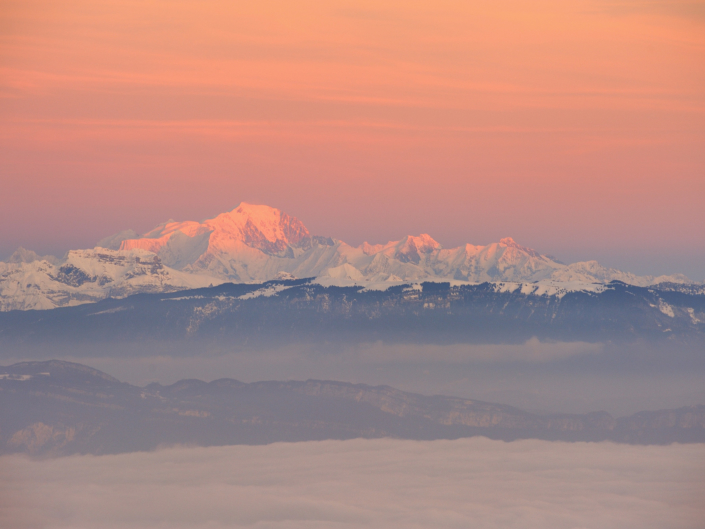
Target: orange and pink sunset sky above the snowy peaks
[[577, 128]]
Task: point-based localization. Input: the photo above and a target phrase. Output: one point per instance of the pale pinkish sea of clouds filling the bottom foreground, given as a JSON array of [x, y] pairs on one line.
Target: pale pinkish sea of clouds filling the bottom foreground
[[363, 483]]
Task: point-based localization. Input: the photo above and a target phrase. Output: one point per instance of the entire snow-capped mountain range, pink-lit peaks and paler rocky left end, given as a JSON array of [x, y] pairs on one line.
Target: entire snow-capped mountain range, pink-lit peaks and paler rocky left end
[[255, 243]]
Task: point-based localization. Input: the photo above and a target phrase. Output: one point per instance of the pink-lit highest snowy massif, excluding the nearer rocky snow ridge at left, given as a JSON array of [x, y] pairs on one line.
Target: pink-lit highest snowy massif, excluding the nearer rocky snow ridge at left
[[255, 243]]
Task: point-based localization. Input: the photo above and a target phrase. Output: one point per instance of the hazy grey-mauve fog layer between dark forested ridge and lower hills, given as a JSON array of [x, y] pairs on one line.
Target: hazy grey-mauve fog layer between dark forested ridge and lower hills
[[540, 377]]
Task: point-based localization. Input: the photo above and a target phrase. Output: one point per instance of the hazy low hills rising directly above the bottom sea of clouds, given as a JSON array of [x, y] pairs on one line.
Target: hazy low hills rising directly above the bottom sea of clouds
[[62, 408]]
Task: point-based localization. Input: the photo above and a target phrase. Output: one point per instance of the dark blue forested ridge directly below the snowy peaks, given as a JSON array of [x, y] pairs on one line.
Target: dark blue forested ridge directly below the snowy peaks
[[283, 312]]
